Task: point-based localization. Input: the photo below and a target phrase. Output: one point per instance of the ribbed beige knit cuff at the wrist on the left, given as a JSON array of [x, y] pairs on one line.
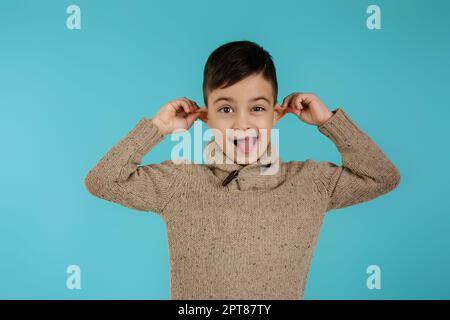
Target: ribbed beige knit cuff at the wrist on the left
[[146, 134]]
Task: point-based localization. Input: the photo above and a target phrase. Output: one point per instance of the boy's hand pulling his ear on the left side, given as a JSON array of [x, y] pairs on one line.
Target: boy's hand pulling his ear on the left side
[[177, 114]]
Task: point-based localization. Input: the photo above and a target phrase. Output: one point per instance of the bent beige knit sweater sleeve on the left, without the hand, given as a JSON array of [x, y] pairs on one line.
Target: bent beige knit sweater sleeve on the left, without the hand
[[118, 177]]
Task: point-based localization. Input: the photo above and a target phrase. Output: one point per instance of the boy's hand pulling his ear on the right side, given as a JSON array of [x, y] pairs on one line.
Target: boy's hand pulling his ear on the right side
[[307, 107]]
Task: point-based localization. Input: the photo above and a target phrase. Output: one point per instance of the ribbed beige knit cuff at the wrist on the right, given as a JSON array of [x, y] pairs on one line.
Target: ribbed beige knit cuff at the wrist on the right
[[340, 129]]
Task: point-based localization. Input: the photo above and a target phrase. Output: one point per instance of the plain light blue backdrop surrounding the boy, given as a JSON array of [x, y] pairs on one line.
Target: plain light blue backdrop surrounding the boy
[[67, 96]]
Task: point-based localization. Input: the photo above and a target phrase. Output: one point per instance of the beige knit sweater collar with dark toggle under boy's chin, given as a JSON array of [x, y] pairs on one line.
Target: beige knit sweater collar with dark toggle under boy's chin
[[266, 173]]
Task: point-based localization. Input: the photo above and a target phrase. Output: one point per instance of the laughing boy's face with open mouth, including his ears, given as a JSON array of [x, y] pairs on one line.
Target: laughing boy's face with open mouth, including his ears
[[235, 114]]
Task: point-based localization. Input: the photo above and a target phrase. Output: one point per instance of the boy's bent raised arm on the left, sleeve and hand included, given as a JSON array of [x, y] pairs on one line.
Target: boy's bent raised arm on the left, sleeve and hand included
[[119, 177]]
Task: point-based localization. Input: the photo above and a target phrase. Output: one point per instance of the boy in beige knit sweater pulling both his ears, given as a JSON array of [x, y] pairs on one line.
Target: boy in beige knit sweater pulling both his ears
[[233, 232]]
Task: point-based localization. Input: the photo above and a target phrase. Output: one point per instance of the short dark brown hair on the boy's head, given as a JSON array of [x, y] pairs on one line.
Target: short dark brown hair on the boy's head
[[234, 61]]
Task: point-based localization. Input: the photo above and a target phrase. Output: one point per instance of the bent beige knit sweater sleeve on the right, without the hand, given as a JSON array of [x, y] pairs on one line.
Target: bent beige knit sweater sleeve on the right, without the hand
[[365, 173]]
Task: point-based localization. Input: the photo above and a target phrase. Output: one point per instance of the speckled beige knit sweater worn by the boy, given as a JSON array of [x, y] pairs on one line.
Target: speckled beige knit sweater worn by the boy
[[253, 238]]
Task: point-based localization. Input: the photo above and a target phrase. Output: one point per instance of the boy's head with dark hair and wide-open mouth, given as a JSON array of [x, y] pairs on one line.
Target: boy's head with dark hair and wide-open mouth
[[240, 92]]
